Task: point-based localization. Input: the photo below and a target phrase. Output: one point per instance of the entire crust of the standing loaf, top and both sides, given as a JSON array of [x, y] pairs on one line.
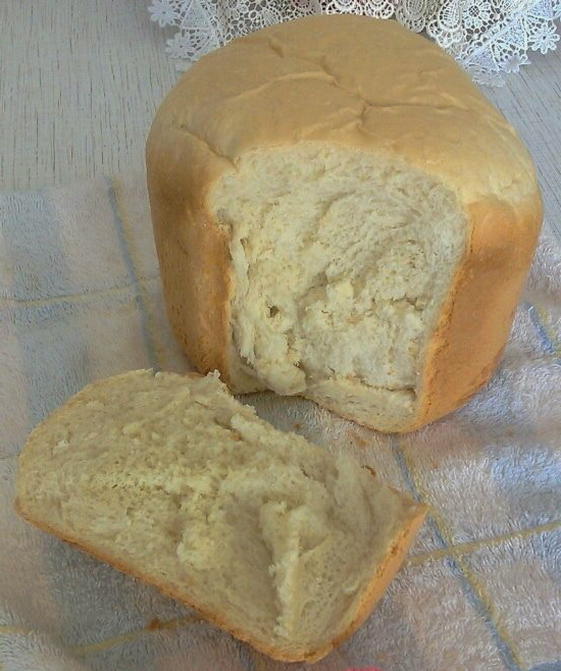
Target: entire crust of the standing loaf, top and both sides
[[368, 85]]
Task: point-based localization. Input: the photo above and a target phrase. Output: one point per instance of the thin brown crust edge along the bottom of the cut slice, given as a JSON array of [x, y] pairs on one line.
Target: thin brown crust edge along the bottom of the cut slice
[[380, 580]]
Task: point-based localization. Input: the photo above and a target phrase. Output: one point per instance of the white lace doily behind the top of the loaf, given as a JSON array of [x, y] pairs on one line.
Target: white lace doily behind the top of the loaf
[[488, 37]]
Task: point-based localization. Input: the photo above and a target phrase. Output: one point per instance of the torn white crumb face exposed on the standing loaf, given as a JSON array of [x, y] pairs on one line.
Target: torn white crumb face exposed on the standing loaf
[[341, 263]]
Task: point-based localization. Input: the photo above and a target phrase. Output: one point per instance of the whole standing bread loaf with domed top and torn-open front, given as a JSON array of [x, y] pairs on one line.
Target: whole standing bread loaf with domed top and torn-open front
[[339, 213]]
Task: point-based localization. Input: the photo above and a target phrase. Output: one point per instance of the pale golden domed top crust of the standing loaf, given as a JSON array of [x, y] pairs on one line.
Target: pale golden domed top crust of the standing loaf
[[361, 82]]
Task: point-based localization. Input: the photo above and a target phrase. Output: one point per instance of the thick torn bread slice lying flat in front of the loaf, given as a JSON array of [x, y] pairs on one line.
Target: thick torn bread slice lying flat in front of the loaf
[[170, 479]]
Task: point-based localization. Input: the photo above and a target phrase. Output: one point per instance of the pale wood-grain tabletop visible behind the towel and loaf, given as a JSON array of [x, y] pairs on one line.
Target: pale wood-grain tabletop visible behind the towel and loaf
[[80, 81]]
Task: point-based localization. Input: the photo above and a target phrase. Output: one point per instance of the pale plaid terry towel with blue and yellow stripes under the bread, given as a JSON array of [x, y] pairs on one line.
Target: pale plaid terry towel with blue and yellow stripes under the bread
[[80, 298]]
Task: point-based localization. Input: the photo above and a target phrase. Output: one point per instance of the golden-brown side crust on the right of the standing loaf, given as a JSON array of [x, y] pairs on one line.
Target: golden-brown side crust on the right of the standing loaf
[[475, 323]]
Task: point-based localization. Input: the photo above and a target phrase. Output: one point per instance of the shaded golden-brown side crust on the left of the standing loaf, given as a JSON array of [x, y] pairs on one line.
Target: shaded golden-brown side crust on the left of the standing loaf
[[202, 289]]
